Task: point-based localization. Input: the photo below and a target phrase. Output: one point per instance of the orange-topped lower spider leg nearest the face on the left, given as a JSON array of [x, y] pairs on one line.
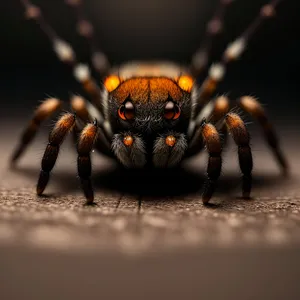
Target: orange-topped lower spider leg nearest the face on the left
[[86, 142]]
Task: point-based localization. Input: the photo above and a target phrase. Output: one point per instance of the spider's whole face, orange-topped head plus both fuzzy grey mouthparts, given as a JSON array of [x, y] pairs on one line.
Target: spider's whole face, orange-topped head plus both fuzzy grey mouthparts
[[148, 109]]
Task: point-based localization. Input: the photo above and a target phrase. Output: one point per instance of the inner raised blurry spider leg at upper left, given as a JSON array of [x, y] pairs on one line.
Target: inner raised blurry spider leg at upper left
[[86, 30]]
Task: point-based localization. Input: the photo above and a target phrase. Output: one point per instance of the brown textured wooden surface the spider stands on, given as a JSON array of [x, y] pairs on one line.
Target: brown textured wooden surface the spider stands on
[[149, 235]]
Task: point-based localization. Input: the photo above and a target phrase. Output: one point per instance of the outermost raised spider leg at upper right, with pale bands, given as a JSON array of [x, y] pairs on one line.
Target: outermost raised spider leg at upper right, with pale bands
[[233, 51]]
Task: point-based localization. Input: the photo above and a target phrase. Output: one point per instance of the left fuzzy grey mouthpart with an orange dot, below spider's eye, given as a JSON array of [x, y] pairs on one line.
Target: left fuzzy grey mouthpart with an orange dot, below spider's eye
[[130, 150]]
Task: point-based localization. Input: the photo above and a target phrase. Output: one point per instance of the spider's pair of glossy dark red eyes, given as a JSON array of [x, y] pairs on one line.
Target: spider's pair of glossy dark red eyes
[[127, 111]]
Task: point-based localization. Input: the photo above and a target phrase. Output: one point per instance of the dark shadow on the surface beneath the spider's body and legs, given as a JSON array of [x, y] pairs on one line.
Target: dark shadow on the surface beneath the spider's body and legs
[[155, 183]]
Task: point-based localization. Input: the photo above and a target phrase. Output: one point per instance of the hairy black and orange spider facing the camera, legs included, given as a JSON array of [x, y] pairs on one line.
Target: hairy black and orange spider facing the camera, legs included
[[150, 114]]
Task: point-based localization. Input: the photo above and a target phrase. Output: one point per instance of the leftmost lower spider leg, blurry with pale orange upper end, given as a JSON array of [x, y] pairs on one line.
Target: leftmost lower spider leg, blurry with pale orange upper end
[[43, 112]]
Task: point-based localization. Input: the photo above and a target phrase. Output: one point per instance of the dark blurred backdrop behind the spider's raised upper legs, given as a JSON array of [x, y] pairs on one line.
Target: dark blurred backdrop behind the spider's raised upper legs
[[150, 29]]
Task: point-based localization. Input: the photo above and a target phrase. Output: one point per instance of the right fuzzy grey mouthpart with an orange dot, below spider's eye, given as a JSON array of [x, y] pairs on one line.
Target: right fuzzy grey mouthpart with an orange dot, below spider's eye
[[169, 149]]
